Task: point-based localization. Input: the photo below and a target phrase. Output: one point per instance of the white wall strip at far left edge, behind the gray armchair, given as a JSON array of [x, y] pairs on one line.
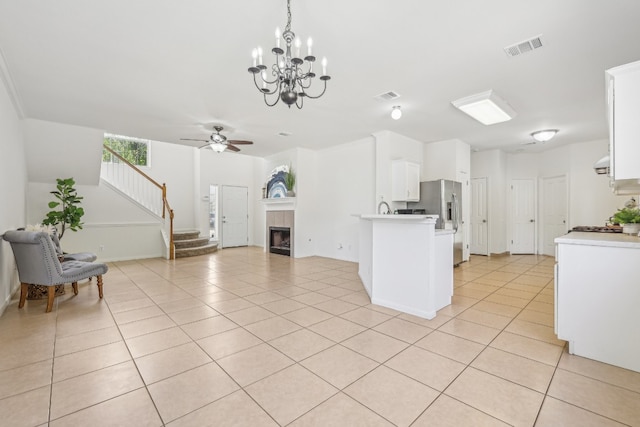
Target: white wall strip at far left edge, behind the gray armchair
[[13, 182]]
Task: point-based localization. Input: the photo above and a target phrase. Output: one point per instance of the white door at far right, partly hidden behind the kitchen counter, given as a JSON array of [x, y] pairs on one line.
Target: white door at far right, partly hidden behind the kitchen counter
[[554, 211]]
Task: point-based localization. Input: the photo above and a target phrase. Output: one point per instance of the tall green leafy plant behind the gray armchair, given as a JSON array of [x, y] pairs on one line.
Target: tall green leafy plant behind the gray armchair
[[69, 213]]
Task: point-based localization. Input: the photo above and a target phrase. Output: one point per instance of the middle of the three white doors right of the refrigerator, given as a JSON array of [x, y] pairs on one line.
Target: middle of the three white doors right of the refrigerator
[[523, 216]]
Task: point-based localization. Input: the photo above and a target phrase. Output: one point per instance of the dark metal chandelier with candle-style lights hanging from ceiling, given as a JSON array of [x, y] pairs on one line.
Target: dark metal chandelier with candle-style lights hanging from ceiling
[[291, 75]]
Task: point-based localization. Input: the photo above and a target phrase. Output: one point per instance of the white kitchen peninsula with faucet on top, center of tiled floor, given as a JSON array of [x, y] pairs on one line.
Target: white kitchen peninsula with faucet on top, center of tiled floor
[[405, 263]]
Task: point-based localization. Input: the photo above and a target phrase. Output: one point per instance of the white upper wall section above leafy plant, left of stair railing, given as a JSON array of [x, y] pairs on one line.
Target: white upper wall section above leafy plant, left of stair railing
[[57, 150]]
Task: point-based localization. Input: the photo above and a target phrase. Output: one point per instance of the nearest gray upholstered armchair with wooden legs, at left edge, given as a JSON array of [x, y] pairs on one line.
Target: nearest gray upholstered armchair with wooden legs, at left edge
[[38, 264]]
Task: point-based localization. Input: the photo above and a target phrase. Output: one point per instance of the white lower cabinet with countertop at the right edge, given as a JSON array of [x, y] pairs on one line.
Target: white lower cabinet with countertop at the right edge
[[597, 297]]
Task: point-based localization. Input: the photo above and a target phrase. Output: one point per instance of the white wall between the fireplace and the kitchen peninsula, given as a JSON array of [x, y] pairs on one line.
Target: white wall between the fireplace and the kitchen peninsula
[[345, 188]]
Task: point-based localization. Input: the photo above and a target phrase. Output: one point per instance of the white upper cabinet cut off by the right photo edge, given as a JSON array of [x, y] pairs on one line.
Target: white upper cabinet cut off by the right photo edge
[[623, 99]]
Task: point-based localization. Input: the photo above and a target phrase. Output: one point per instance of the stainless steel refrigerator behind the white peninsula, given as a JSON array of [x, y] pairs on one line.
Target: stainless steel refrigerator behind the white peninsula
[[442, 198]]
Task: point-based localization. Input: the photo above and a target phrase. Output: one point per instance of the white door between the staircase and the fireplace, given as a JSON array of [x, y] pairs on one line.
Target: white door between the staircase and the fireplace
[[235, 216]]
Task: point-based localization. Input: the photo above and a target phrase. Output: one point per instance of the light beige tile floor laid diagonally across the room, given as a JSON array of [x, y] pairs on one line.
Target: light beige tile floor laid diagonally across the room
[[244, 338]]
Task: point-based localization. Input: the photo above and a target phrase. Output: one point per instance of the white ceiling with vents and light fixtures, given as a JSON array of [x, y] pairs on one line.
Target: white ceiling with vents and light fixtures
[[163, 69]]
